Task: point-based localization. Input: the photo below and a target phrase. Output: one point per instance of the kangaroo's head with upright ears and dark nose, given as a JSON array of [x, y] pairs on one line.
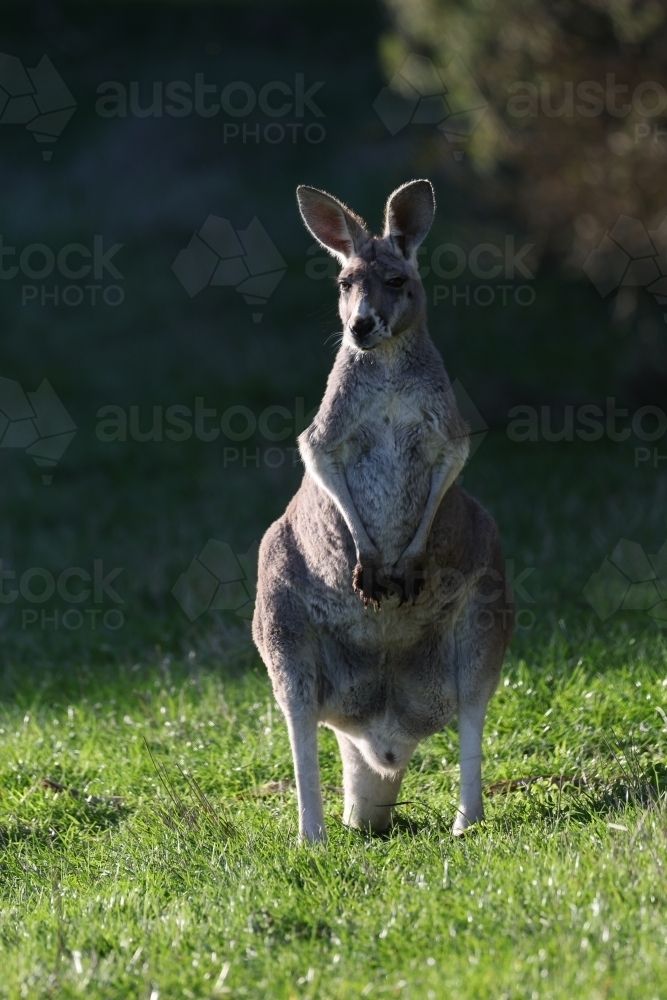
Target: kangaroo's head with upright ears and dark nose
[[381, 293]]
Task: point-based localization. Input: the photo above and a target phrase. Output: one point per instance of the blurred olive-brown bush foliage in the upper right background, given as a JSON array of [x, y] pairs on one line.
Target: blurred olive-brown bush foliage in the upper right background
[[559, 150]]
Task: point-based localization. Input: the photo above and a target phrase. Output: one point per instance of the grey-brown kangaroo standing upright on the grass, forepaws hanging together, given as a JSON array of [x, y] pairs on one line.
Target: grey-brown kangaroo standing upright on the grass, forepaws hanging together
[[382, 607]]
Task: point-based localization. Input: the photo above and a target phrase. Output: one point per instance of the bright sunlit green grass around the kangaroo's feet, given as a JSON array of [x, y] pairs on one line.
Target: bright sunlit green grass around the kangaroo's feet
[[561, 893]]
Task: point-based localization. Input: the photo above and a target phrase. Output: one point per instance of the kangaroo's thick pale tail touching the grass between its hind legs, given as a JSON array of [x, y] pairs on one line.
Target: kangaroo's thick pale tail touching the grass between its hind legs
[[369, 797]]
